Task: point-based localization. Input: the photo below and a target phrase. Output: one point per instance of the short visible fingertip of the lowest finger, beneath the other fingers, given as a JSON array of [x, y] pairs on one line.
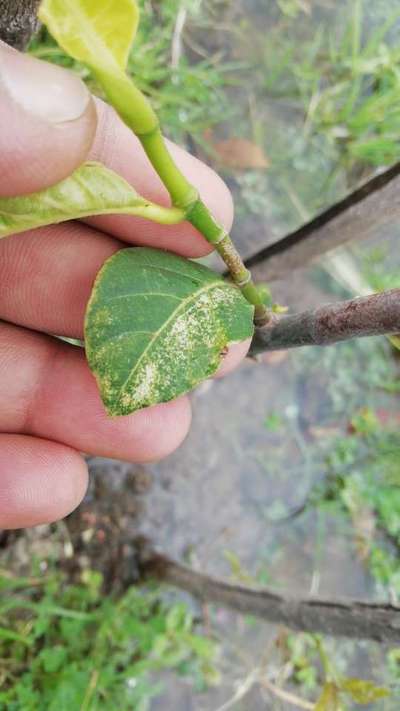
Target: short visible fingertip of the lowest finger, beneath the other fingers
[[40, 481]]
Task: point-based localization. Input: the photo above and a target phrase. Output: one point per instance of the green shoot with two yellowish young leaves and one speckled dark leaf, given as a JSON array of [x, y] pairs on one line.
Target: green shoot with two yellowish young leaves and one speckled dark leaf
[[156, 324]]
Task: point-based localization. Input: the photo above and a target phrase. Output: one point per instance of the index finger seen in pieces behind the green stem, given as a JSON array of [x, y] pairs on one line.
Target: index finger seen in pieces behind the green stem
[[120, 150]]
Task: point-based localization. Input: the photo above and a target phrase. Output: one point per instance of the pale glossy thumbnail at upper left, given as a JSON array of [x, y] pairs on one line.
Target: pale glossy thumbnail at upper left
[[43, 90]]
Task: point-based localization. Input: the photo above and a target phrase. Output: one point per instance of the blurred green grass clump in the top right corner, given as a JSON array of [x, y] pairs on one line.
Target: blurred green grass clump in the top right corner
[[346, 84]]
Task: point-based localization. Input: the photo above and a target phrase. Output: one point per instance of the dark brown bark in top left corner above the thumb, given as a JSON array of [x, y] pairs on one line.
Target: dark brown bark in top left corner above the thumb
[[18, 21]]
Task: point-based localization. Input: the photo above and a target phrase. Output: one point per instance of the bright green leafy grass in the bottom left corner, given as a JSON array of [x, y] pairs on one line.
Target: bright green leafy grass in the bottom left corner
[[65, 646]]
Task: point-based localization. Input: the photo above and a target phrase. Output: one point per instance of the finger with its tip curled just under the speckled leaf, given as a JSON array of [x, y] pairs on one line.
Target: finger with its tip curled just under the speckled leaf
[[47, 390]]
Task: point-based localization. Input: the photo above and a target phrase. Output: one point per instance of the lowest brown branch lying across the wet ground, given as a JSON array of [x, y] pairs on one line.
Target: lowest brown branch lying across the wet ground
[[339, 617]]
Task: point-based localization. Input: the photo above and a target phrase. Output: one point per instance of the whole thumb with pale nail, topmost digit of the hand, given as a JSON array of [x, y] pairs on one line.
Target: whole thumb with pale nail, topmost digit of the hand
[[47, 123]]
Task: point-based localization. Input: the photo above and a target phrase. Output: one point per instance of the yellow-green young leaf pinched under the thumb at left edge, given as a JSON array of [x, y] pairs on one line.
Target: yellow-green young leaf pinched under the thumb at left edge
[[91, 190]]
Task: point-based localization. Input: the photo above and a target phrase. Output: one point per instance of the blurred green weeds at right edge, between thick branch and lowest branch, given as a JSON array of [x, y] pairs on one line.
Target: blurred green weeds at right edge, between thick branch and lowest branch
[[363, 482]]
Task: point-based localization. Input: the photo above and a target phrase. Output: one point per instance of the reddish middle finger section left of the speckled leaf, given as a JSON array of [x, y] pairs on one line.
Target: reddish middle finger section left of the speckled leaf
[[47, 275]]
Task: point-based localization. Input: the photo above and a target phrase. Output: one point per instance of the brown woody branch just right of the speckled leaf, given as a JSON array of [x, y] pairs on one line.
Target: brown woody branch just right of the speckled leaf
[[378, 314]]
